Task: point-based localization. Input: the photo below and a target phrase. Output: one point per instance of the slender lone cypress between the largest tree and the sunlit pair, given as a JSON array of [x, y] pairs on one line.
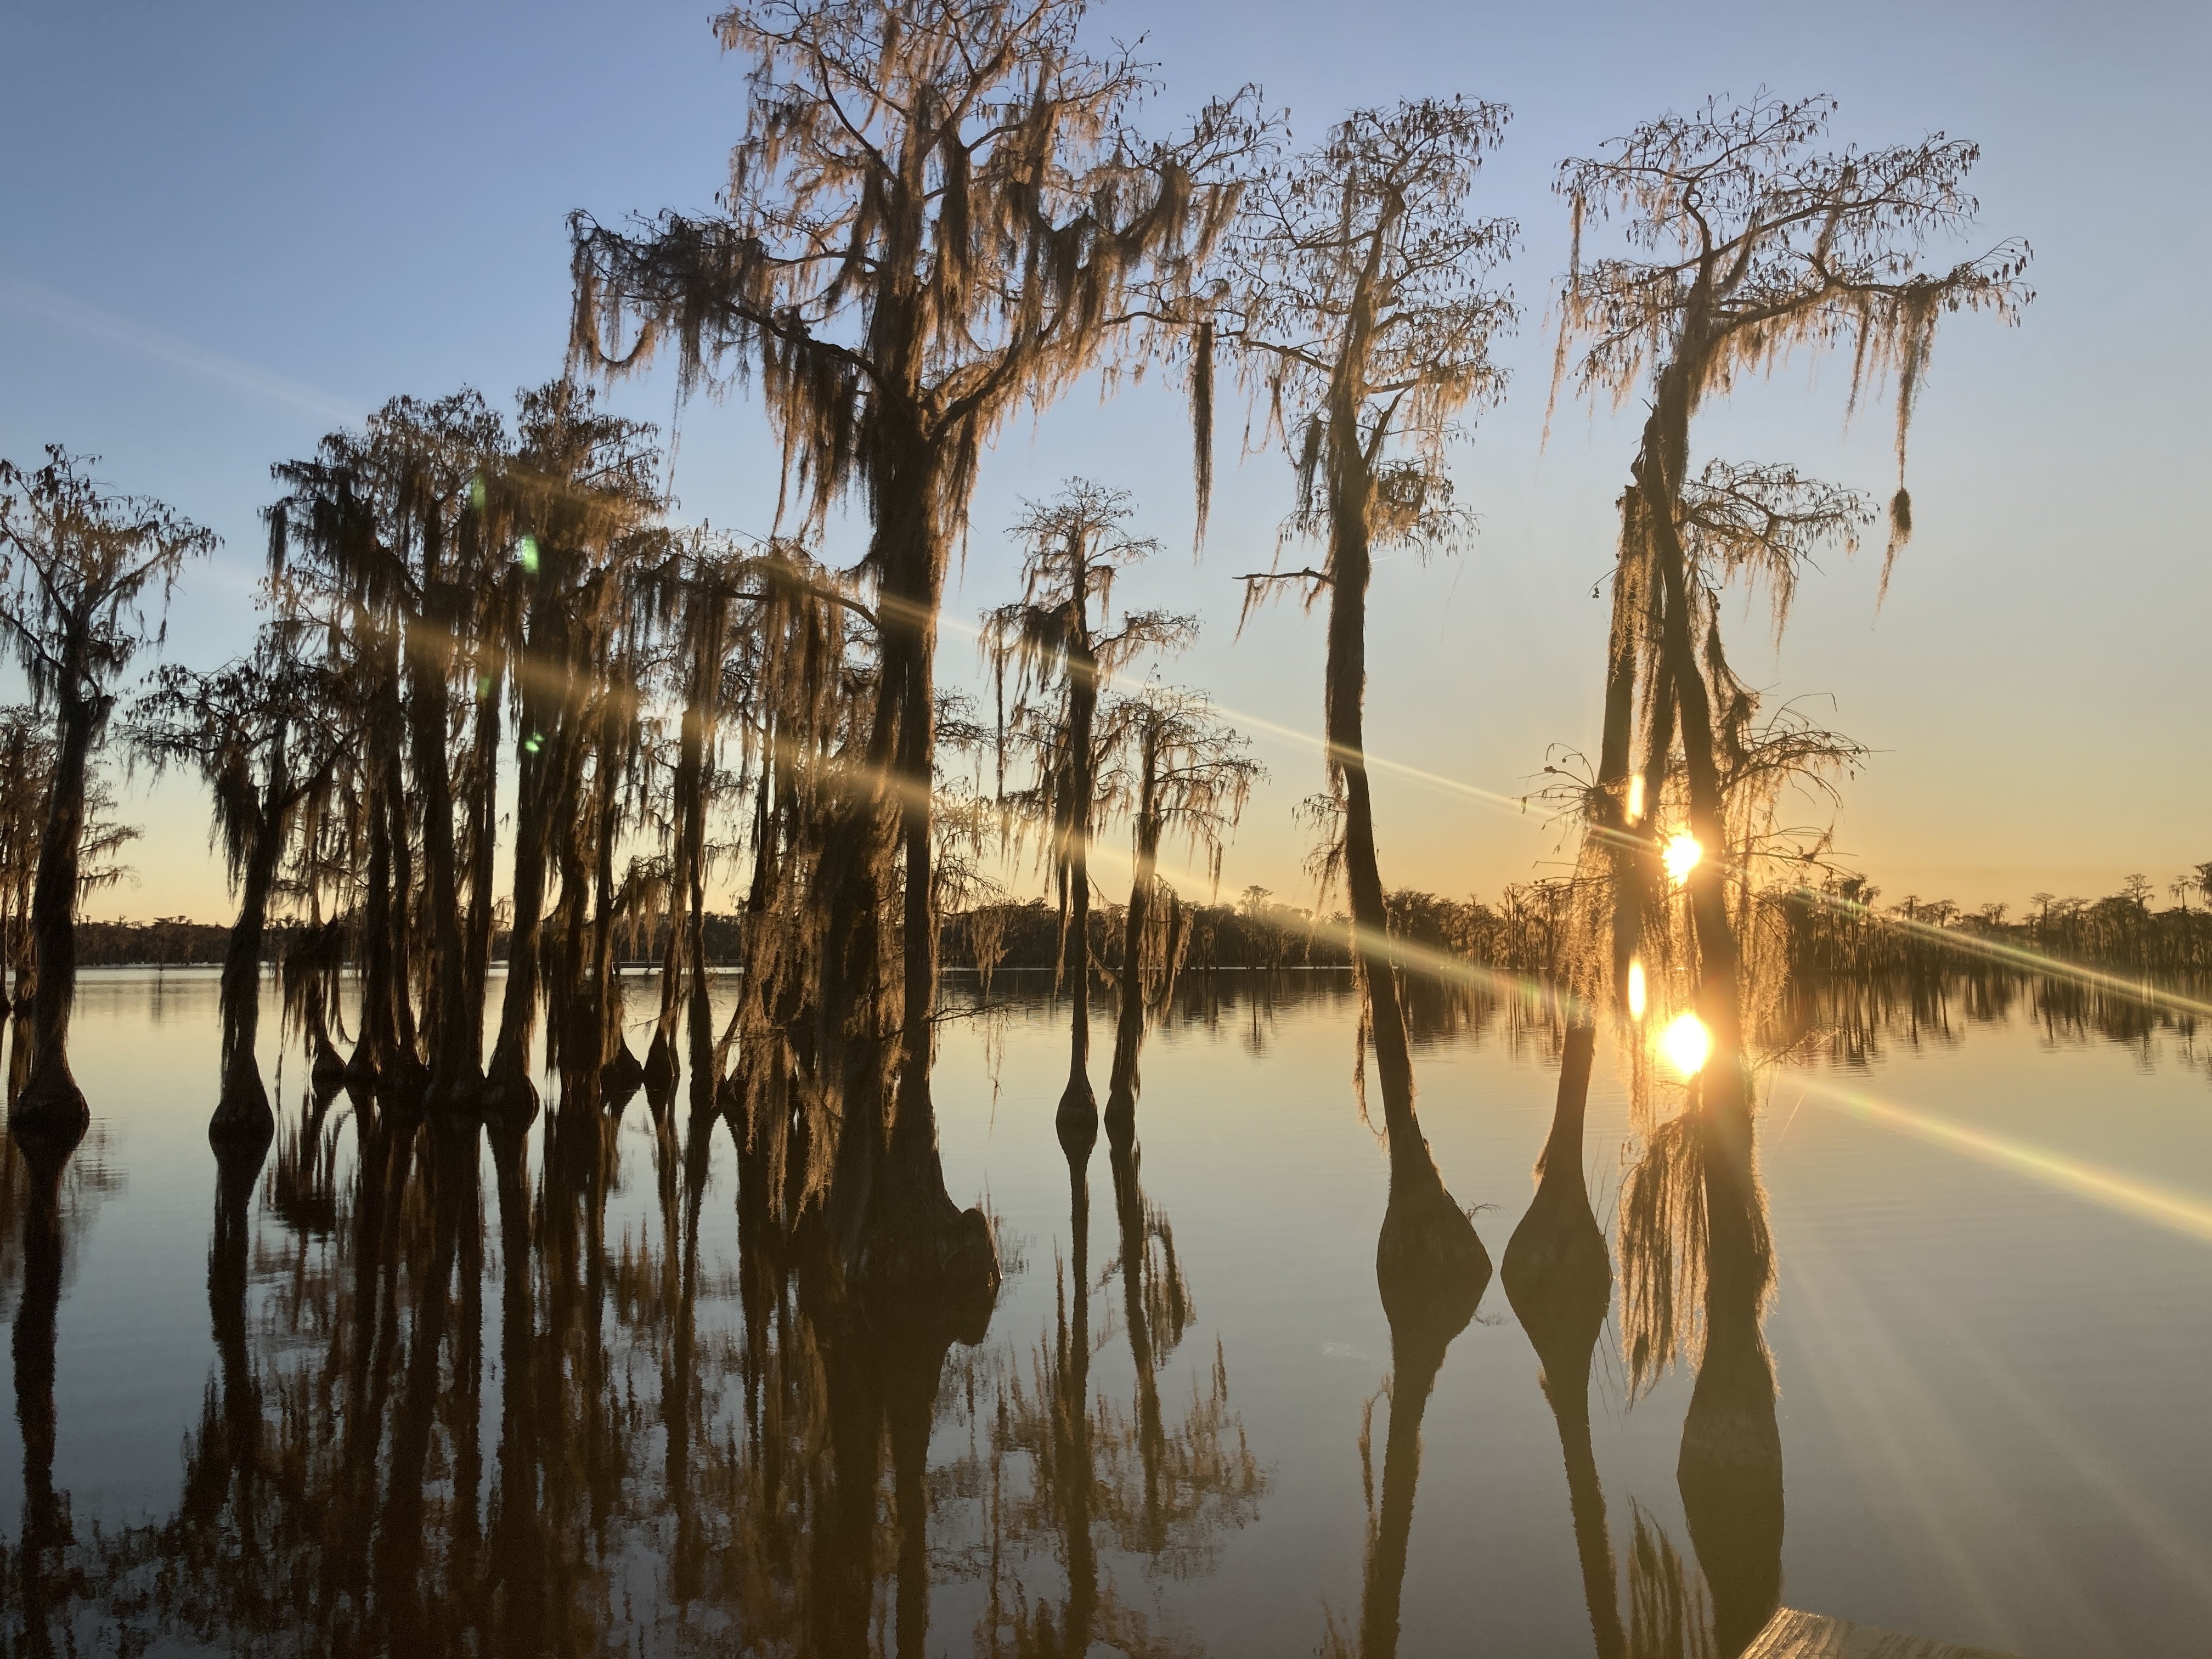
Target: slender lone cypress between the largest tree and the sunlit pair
[[1359, 311]]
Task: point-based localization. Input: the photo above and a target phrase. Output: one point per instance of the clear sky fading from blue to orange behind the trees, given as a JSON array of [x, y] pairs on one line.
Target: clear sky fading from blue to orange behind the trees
[[233, 227]]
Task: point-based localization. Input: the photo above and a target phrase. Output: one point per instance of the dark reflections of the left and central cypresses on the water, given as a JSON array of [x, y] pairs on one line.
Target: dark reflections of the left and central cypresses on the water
[[455, 1408]]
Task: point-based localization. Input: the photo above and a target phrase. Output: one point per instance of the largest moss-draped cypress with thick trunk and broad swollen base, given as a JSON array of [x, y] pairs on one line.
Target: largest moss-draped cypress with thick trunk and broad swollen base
[[932, 220]]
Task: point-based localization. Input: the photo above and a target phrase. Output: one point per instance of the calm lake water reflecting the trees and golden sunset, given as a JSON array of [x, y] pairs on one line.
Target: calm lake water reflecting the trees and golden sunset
[[563, 1412]]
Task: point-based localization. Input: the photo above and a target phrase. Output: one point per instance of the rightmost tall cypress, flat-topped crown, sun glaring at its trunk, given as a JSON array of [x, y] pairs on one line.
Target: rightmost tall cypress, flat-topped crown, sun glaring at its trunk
[[1746, 244]]
